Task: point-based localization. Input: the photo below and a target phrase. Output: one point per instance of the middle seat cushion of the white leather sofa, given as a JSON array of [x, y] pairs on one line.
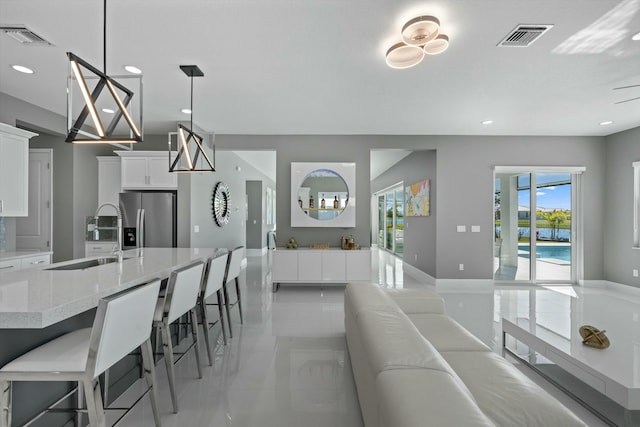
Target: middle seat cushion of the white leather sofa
[[445, 333]]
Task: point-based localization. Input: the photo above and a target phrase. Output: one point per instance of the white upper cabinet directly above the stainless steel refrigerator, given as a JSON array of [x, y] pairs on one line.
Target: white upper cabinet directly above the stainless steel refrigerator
[[149, 170]]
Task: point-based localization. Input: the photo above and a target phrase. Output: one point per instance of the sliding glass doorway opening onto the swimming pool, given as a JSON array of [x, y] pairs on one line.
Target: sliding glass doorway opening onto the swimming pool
[[536, 225]]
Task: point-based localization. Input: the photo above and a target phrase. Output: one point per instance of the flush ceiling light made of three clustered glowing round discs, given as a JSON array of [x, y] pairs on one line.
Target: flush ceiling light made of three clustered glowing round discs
[[420, 36]]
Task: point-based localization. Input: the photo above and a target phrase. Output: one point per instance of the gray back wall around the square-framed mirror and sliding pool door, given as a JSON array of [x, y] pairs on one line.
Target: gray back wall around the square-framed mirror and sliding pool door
[[465, 187]]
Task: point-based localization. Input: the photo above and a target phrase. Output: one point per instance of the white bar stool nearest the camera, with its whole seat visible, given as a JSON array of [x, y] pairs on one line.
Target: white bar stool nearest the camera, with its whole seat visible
[[122, 324]]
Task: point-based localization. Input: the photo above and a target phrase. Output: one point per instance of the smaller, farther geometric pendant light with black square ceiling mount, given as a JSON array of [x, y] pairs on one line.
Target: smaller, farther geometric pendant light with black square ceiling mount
[[190, 154]]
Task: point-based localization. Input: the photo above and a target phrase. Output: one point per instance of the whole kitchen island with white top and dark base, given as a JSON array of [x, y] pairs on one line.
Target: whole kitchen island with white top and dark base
[[41, 303]]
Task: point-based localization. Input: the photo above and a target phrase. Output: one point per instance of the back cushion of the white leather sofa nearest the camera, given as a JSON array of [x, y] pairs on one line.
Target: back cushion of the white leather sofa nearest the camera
[[424, 397]]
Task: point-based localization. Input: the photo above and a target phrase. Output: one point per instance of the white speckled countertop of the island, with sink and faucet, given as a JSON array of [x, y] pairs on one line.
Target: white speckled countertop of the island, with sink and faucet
[[38, 297]]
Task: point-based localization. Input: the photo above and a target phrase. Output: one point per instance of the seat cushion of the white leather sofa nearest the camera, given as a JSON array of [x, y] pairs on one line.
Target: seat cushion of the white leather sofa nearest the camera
[[507, 396]]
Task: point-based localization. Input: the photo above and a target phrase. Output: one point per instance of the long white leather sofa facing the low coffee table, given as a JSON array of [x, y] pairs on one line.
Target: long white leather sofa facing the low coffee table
[[415, 366]]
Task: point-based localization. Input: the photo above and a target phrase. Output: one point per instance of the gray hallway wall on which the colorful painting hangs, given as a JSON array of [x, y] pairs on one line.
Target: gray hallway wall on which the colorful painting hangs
[[419, 232]]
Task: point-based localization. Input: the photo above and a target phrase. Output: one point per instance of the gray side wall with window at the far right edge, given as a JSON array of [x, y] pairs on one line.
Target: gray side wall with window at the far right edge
[[619, 259]]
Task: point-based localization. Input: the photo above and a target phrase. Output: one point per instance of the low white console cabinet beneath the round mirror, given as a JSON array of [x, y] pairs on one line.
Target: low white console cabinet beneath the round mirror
[[317, 266]]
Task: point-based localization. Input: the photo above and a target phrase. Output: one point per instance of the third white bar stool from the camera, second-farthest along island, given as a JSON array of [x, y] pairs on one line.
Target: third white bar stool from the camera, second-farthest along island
[[212, 280]]
